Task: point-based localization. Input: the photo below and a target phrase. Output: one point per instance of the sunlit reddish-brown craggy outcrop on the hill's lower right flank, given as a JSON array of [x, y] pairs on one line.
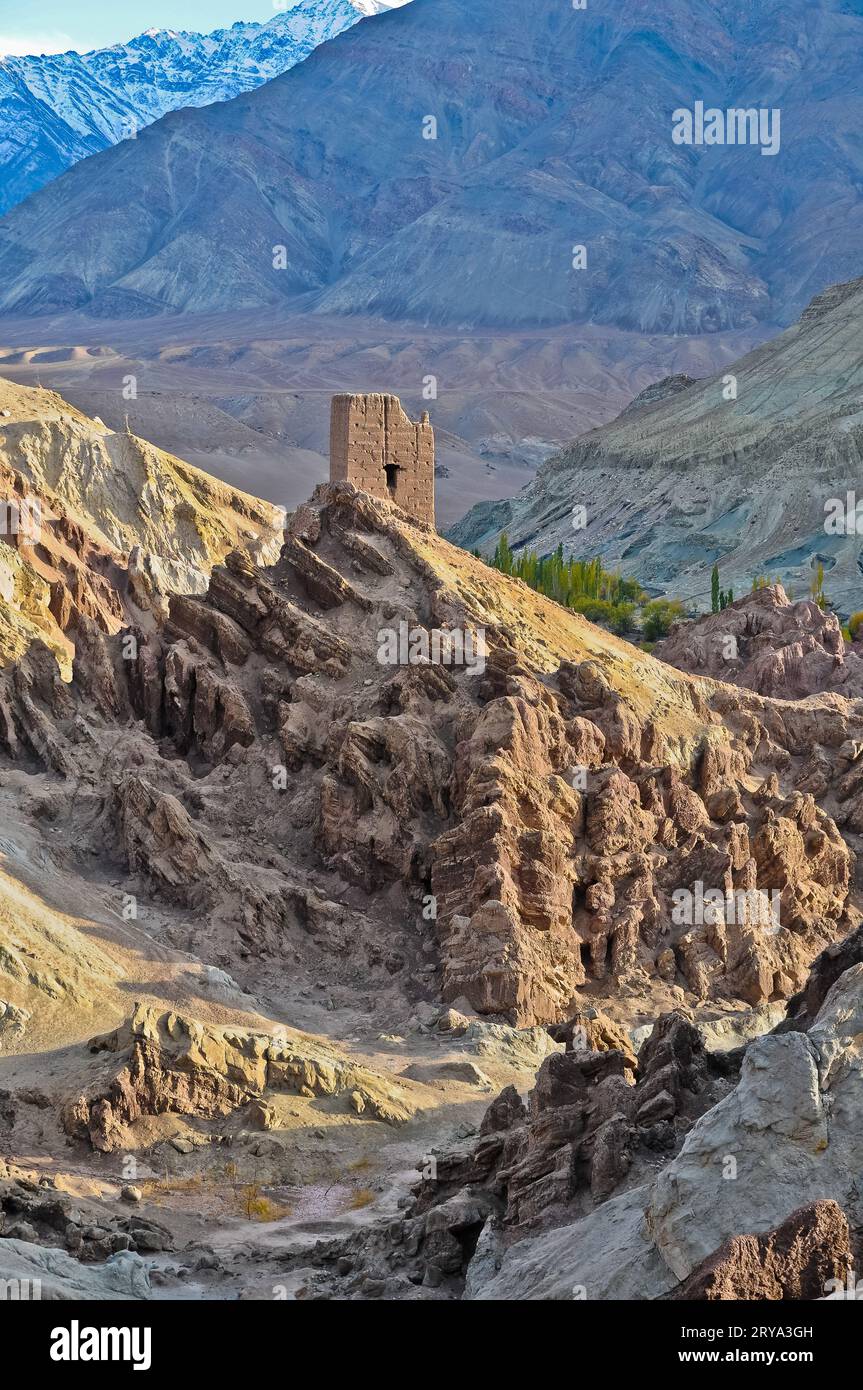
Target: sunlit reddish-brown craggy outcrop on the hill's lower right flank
[[607, 857]]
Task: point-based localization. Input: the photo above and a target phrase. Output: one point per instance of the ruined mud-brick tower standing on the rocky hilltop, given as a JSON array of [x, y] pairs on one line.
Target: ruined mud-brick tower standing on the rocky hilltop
[[375, 445]]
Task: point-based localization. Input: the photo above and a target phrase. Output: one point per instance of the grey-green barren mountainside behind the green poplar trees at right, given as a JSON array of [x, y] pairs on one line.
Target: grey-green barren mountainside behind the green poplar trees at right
[[754, 469]]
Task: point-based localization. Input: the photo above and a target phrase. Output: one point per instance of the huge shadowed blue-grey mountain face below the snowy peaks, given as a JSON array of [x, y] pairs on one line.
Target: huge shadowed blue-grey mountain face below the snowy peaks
[[554, 130]]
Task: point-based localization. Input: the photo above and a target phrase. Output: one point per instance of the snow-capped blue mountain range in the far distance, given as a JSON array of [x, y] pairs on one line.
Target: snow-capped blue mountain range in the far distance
[[56, 109]]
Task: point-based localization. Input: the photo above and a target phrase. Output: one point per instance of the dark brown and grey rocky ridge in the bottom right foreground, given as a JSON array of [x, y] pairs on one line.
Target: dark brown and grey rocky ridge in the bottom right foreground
[[689, 1177]]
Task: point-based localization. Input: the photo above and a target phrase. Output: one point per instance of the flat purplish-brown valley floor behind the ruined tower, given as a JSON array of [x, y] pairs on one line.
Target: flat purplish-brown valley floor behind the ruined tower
[[248, 398]]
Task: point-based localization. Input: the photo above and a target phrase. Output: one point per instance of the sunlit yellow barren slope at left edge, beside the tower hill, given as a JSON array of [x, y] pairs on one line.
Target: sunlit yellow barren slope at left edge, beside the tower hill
[[95, 521]]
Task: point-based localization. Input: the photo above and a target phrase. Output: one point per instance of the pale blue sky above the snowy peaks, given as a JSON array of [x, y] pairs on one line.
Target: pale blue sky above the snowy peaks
[[55, 26]]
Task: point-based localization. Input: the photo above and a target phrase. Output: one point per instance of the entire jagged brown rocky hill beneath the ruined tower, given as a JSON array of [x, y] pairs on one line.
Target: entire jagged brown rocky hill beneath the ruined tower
[[566, 814]]
